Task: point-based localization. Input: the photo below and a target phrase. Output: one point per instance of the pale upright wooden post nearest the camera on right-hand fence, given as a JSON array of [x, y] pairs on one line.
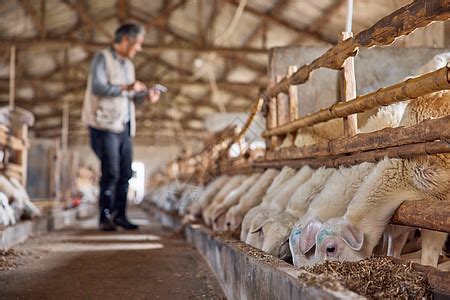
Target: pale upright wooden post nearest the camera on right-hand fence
[[348, 90]]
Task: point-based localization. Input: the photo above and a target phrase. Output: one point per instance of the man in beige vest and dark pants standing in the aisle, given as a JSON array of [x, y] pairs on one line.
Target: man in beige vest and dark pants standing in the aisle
[[109, 112]]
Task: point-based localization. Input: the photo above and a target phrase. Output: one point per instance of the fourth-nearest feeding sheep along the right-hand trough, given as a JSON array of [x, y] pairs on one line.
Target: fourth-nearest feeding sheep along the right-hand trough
[[277, 204]]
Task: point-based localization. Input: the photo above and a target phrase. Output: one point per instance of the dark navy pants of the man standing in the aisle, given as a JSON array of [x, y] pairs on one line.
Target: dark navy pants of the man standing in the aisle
[[115, 153]]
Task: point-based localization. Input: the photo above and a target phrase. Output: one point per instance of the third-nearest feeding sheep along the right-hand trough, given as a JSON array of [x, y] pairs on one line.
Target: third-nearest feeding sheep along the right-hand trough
[[277, 228]]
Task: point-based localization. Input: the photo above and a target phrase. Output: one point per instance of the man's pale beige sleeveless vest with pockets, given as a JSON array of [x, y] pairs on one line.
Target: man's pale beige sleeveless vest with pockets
[[109, 113]]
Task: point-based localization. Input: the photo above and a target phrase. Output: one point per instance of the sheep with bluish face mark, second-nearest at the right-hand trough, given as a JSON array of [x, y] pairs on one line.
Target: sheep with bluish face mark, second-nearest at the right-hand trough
[[332, 201]]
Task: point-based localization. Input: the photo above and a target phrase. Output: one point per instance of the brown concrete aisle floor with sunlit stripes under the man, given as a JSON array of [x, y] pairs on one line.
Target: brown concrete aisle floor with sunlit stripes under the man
[[81, 262]]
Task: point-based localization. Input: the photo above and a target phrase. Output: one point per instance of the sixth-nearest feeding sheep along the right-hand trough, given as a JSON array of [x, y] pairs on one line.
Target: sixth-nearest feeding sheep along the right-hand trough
[[252, 198]]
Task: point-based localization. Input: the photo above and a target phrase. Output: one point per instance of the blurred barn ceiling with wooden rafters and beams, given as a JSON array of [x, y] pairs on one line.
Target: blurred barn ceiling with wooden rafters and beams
[[212, 57]]
